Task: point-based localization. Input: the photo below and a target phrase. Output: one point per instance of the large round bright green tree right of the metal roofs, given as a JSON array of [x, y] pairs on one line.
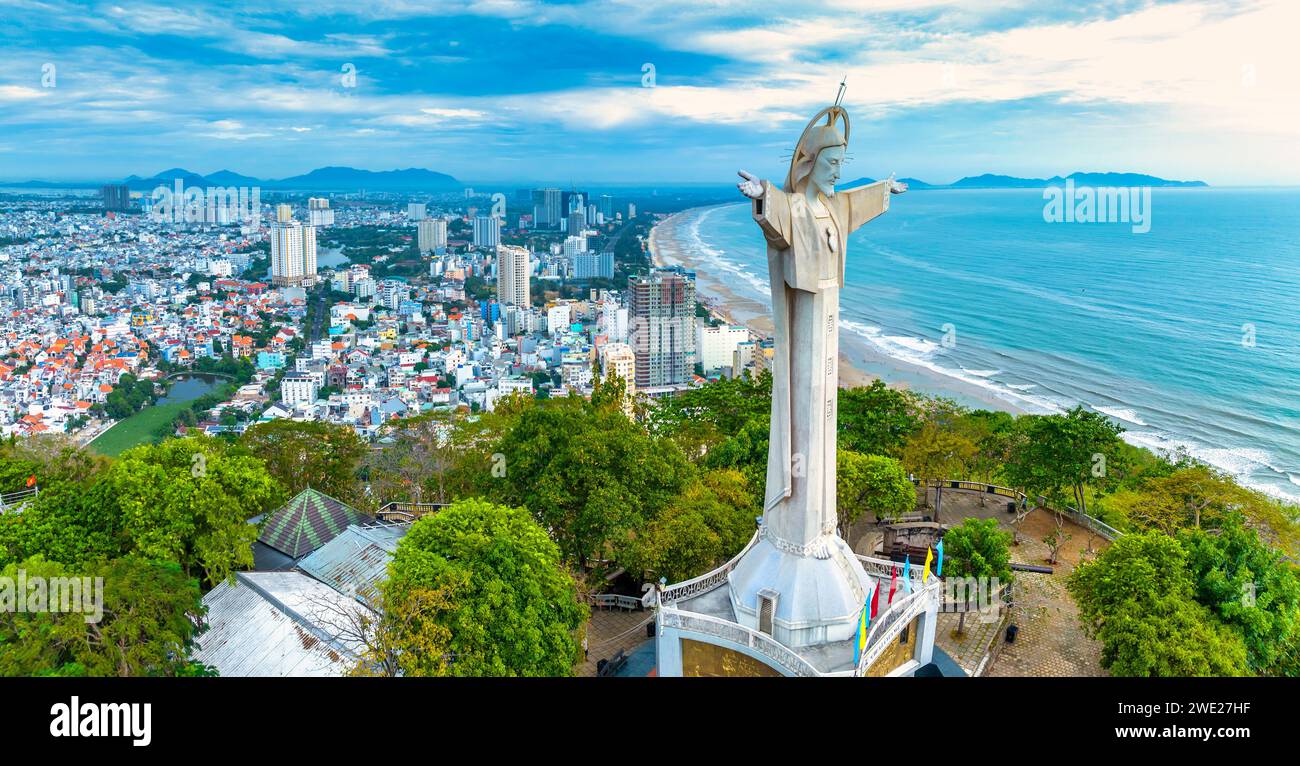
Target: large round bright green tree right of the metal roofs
[[514, 609]]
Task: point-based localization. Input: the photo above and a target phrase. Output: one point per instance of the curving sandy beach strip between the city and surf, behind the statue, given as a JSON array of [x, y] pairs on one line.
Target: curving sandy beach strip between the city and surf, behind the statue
[[860, 363]]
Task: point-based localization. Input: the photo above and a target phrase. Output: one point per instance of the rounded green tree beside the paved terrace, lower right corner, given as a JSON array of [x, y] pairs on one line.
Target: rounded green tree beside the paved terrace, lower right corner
[[1138, 600]]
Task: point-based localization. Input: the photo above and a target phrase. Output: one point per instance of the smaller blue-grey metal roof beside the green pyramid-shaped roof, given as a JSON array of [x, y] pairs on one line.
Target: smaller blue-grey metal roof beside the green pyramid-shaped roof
[[358, 560]]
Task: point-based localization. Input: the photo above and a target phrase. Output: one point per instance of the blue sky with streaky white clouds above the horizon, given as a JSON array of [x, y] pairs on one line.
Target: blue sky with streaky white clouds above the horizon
[[651, 92]]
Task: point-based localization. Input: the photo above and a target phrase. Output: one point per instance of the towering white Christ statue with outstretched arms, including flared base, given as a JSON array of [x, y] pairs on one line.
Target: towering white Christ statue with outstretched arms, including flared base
[[800, 581]]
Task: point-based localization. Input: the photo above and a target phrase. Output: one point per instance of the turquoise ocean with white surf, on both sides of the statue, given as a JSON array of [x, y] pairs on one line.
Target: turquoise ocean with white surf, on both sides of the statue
[[1188, 335]]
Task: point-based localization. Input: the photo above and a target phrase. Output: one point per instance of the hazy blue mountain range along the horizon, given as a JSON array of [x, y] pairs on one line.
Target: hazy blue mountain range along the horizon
[[341, 179]]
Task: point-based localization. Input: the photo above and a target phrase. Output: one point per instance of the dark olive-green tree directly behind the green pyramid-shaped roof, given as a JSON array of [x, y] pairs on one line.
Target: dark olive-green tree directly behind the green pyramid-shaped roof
[[315, 455]]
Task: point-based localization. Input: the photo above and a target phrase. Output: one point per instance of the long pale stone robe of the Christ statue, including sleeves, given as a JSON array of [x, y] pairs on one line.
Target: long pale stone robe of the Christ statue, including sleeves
[[805, 262]]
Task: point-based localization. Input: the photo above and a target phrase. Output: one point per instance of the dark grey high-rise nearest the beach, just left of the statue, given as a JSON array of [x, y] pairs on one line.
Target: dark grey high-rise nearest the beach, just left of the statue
[[662, 334]]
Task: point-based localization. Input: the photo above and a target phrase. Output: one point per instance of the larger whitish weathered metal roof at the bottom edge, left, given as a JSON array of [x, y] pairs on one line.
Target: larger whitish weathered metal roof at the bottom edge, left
[[276, 625]]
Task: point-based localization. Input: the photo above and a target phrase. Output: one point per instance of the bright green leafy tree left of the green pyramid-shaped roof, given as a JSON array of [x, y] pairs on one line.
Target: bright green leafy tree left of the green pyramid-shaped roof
[[189, 501]]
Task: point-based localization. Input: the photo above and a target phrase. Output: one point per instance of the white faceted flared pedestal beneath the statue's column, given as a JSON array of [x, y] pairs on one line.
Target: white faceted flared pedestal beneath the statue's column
[[799, 599]]
